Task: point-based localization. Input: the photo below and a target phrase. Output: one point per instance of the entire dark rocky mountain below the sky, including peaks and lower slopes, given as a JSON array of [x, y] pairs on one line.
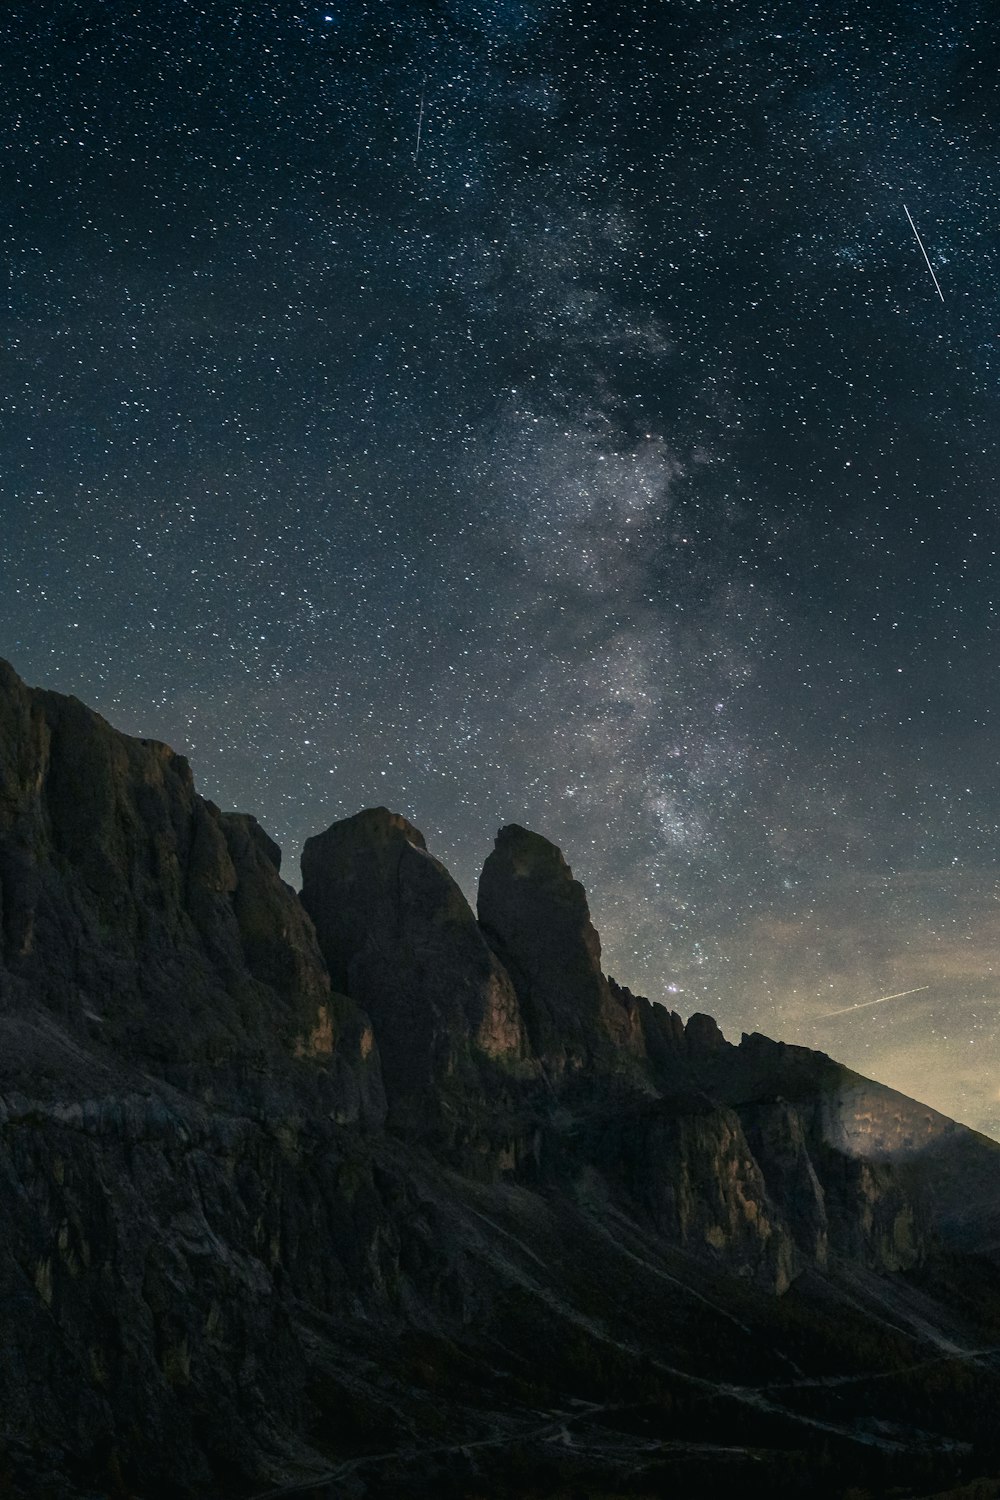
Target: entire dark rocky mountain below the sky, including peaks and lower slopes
[[365, 1195]]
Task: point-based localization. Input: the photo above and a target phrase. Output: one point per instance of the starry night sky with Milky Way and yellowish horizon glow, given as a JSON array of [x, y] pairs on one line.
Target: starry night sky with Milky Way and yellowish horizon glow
[[543, 413]]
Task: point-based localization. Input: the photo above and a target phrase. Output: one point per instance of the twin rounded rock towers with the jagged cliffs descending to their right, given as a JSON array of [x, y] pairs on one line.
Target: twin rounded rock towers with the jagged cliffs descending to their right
[[680, 1126]]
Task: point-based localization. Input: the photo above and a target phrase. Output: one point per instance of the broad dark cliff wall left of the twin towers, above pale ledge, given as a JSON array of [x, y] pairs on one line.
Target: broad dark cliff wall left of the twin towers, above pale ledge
[[145, 925]]
